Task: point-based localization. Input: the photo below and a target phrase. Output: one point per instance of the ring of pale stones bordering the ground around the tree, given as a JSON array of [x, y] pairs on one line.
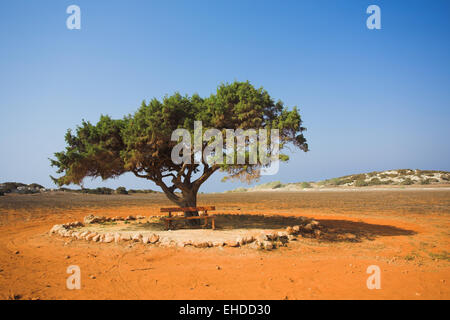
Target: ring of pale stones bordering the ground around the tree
[[266, 240]]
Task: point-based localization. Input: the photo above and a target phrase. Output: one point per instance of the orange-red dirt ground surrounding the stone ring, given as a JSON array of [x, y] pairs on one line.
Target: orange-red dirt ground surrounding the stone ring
[[405, 232]]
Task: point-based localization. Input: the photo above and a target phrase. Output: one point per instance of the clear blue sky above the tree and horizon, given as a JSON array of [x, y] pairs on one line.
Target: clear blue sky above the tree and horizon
[[371, 99]]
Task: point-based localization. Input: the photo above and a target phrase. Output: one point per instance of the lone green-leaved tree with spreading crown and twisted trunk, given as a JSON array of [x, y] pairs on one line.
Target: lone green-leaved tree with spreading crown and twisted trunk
[[142, 143]]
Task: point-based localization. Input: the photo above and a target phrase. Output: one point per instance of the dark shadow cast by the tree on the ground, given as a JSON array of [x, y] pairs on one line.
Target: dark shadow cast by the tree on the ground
[[330, 229]]
